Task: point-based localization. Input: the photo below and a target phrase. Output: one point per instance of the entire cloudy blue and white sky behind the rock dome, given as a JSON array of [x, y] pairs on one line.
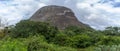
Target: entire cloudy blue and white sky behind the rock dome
[[96, 13]]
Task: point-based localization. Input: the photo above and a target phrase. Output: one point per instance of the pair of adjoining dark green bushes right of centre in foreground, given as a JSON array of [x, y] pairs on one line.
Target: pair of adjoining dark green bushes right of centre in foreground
[[78, 41]]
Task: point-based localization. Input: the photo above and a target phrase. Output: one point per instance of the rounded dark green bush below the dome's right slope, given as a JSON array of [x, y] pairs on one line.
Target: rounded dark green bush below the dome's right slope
[[81, 41]]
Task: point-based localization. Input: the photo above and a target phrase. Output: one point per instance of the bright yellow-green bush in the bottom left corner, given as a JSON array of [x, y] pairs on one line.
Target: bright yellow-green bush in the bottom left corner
[[12, 45]]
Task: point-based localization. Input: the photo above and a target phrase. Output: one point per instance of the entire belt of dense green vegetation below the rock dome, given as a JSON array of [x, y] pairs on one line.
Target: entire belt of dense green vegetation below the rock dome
[[41, 36]]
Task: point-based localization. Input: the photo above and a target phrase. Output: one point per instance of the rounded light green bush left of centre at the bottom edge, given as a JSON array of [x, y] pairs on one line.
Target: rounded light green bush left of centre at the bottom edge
[[34, 42]]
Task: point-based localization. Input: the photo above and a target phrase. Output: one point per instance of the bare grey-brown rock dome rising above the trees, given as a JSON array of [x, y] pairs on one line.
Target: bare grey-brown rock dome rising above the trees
[[58, 16]]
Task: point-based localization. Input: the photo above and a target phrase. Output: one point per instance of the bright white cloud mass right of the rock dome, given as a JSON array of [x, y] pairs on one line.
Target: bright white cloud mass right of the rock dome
[[99, 15]]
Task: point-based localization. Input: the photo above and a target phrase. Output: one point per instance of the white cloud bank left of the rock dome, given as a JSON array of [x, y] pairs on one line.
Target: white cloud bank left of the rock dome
[[16, 10]]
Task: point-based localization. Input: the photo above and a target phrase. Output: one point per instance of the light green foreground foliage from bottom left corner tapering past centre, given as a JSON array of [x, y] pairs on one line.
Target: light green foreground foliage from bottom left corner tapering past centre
[[32, 43]]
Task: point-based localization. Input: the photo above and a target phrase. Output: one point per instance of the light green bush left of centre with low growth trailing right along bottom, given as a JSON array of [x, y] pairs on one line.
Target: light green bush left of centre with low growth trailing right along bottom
[[38, 43]]
